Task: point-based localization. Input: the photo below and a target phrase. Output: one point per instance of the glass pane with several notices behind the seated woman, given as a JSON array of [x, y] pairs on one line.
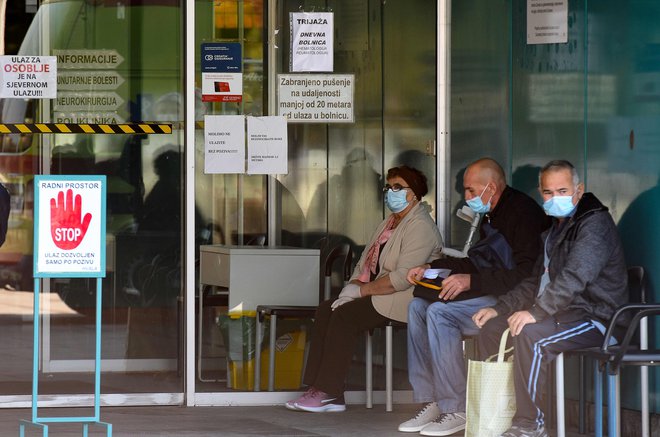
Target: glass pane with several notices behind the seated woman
[[332, 191]]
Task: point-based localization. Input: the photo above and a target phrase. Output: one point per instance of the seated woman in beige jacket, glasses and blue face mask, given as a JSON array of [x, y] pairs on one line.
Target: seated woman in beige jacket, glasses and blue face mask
[[377, 291]]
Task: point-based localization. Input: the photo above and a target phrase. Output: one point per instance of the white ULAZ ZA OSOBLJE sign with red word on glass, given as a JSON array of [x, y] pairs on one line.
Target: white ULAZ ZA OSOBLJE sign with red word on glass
[[28, 77]]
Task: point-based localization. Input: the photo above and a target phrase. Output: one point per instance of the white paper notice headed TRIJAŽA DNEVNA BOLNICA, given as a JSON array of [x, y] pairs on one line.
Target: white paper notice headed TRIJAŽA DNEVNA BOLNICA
[[312, 46]]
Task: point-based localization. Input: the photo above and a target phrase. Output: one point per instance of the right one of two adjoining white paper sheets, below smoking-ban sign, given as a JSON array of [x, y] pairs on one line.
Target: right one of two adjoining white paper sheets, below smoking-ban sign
[[267, 145]]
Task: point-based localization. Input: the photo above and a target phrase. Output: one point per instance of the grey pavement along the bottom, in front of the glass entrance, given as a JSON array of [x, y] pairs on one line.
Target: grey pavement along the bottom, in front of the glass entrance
[[224, 421]]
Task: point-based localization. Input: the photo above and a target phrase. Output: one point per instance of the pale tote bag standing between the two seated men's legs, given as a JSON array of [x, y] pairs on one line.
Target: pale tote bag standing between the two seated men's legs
[[491, 401]]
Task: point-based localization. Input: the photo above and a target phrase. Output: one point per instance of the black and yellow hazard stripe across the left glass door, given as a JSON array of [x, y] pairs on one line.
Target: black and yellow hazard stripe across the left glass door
[[82, 128]]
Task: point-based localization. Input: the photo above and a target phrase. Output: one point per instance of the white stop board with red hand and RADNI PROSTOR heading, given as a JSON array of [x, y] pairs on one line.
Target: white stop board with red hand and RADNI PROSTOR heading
[[70, 226]]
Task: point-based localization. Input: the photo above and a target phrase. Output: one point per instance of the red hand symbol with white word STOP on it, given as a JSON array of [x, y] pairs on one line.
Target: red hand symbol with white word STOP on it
[[66, 226]]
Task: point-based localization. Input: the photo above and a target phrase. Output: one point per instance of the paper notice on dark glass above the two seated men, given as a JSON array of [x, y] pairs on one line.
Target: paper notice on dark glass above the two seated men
[[547, 21]]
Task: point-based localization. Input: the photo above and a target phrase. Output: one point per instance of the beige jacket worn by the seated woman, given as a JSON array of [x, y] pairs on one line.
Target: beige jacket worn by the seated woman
[[415, 241]]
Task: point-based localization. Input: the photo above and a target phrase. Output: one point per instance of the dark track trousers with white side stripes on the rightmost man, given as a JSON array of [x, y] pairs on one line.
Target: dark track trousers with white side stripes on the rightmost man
[[536, 346]]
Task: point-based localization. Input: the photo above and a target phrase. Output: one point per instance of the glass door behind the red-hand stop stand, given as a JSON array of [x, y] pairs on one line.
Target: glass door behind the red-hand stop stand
[[118, 62]]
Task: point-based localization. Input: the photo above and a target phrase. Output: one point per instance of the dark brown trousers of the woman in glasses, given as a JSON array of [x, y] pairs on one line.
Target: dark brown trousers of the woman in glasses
[[333, 340]]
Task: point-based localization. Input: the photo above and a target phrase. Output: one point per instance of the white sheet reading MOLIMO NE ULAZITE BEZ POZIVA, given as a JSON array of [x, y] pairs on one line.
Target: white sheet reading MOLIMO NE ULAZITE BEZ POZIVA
[[224, 144]]
